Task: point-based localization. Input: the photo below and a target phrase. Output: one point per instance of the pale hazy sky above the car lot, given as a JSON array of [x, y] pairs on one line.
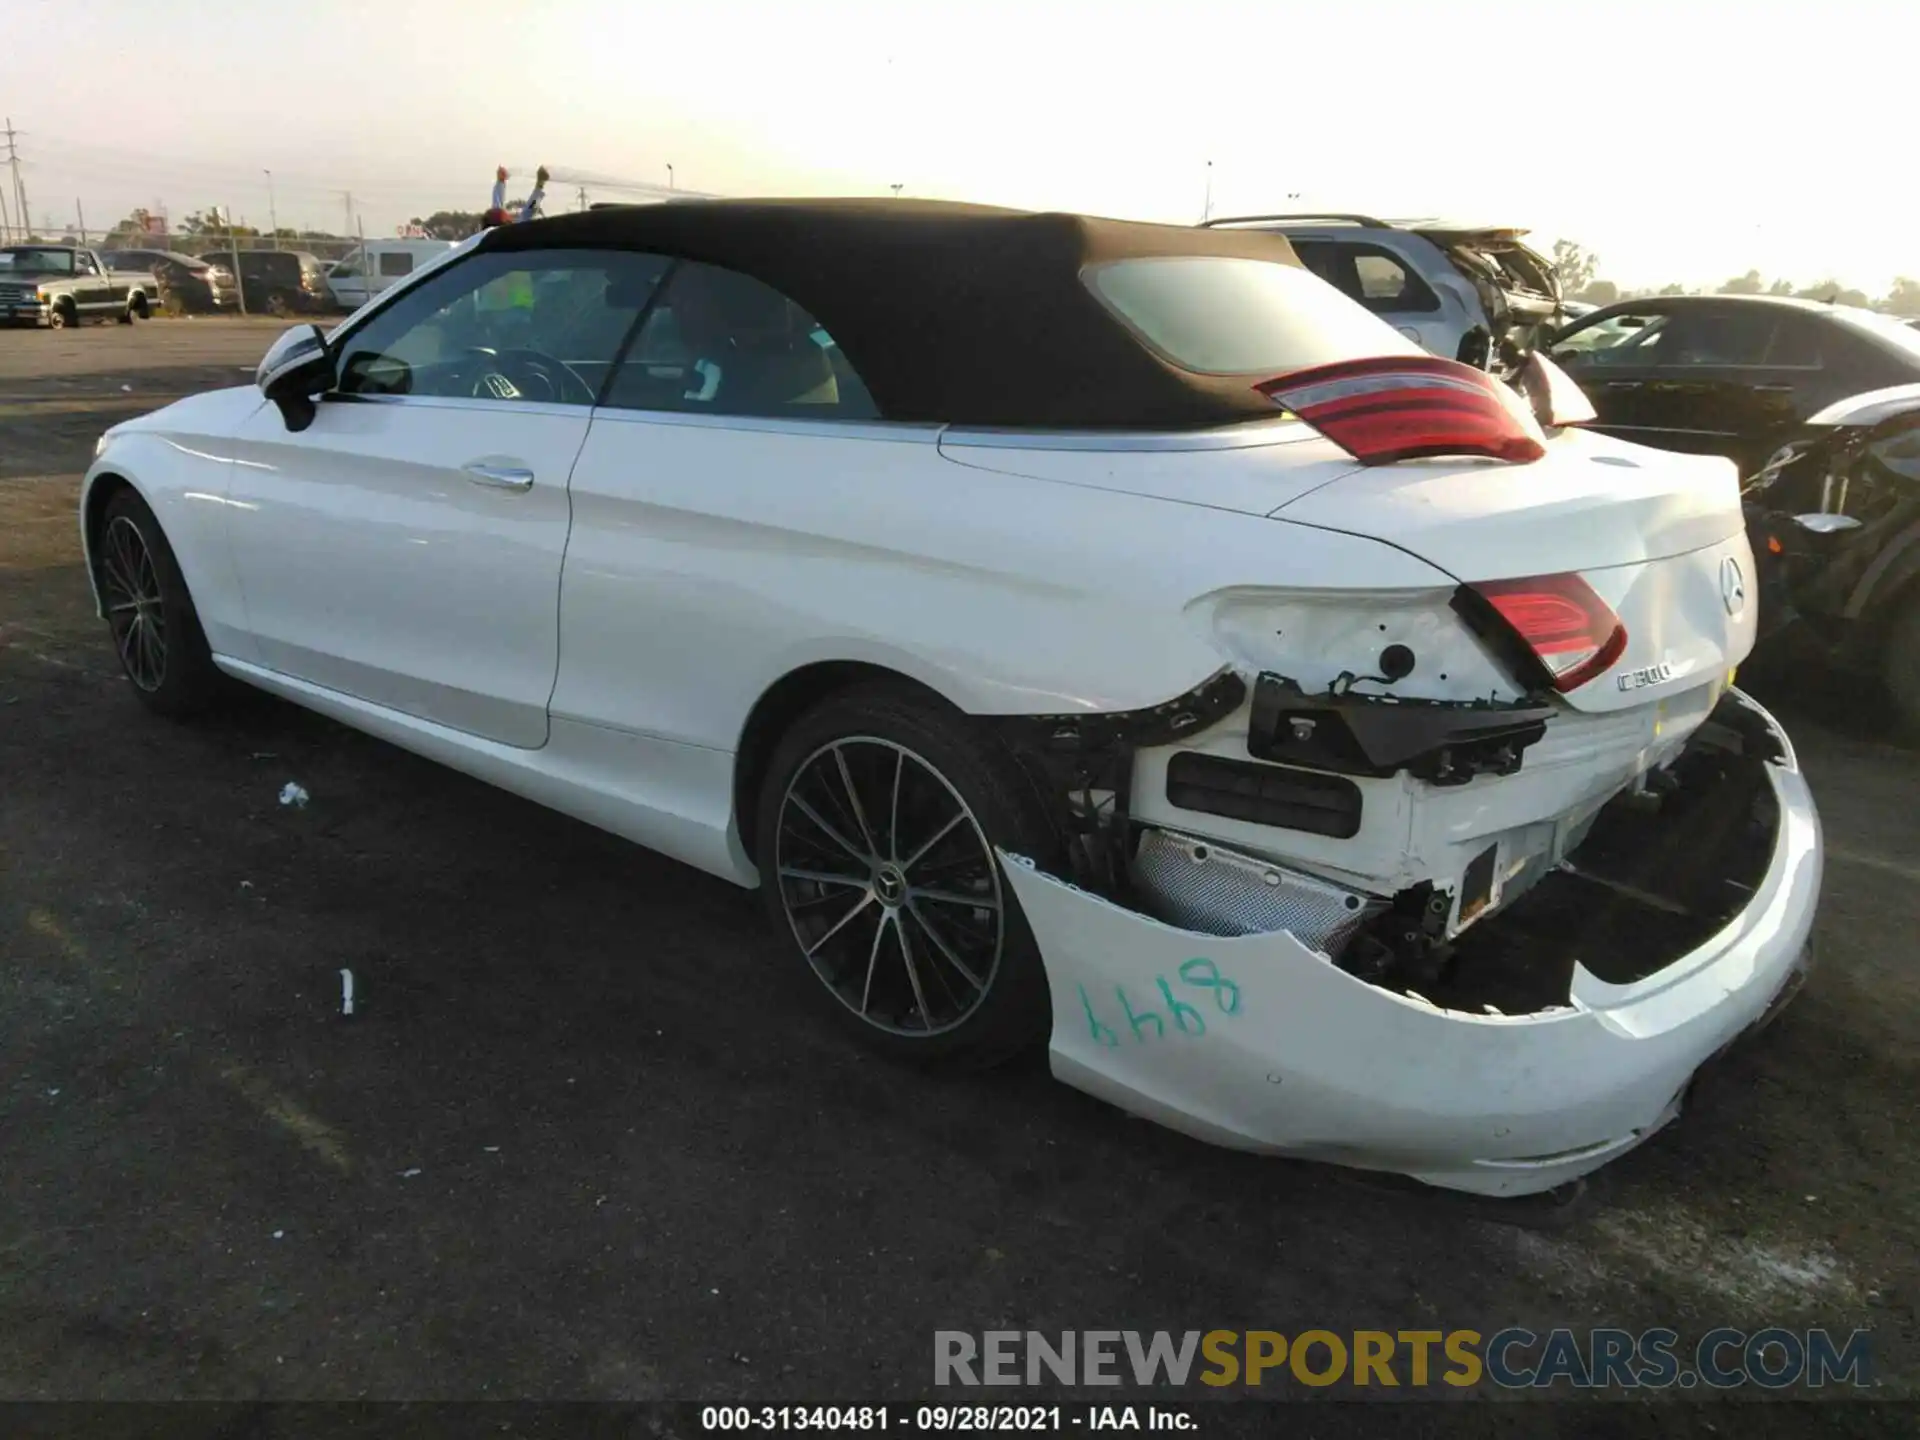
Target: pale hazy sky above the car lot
[[1685, 141]]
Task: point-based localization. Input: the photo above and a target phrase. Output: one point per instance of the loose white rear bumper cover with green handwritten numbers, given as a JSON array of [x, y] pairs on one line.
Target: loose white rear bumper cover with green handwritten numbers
[[1260, 1044]]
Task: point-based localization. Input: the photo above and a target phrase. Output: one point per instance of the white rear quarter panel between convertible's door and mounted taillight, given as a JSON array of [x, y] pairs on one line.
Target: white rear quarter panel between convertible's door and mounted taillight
[[709, 560]]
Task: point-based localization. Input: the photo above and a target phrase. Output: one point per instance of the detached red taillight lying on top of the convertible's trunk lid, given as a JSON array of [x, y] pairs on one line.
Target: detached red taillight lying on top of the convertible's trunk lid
[[1399, 408]]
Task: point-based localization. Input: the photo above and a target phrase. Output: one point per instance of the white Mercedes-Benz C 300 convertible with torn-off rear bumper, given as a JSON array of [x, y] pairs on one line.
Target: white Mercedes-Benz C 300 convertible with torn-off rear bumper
[[1084, 633]]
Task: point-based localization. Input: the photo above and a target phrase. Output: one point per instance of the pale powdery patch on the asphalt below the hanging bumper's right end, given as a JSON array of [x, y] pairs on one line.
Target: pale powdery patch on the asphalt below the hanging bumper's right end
[[1625, 1245]]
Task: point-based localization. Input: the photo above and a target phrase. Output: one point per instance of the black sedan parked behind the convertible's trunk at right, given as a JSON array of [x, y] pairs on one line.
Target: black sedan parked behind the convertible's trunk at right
[[1729, 375]]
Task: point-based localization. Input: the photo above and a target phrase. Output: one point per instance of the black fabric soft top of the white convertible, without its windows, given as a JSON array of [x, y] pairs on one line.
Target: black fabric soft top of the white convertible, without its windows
[[951, 314]]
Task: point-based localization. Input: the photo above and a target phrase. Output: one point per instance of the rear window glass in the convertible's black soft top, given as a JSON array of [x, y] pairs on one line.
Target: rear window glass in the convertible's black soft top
[[1228, 316]]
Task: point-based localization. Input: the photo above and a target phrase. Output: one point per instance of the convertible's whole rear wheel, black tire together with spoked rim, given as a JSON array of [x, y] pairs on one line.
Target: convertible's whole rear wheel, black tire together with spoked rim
[[924, 1011]]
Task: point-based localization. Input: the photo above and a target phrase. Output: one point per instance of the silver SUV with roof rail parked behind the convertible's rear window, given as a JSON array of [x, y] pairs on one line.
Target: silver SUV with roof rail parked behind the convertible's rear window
[[1468, 293]]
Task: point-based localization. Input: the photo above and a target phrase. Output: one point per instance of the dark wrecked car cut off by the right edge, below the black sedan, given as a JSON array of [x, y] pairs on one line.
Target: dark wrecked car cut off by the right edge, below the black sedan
[[1836, 527]]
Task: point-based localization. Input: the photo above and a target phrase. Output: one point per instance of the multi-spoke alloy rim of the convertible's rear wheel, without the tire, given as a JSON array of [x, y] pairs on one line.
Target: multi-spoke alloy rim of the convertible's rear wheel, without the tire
[[890, 886]]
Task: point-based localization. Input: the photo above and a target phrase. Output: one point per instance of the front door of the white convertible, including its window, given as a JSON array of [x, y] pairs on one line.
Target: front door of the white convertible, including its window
[[406, 548]]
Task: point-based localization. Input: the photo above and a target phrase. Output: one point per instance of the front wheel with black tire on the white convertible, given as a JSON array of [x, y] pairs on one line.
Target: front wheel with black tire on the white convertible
[[149, 606]]
